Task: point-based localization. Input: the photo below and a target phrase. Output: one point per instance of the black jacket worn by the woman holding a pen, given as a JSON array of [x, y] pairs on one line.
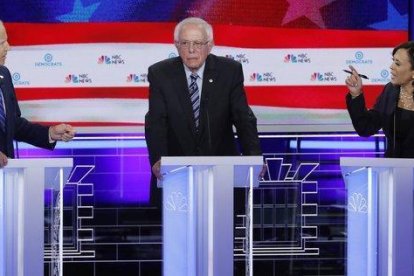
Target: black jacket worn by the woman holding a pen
[[382, 115]]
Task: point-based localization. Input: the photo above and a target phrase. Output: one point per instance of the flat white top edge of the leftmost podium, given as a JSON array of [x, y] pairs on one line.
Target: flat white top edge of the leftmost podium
[[39, 162]]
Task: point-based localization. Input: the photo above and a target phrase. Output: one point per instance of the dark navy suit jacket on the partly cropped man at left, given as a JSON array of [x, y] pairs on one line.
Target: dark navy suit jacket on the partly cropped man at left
[[17, 127]]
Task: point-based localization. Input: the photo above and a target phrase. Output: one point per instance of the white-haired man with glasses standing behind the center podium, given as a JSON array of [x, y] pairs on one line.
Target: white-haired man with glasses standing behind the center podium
[[196, 99]]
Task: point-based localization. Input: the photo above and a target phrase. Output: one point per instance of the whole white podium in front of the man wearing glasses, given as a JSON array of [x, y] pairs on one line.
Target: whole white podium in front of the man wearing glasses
[[198, 212]]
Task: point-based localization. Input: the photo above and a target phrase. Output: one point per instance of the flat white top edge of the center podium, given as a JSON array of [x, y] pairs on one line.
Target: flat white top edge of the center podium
[[211, 160]]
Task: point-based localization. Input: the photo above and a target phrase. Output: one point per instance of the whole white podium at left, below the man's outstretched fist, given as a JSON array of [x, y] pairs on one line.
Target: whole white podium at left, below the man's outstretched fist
[[22, 224]]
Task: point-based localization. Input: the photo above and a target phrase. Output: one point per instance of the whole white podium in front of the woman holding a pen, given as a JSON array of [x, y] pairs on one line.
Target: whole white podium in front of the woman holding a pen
[[380, 216]]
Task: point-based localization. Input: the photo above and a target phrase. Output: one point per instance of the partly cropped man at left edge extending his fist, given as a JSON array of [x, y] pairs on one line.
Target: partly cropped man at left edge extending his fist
[[15, 127]]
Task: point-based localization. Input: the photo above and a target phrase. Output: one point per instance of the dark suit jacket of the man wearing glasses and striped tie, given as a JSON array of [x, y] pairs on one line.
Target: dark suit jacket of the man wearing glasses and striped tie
[[170, 129]]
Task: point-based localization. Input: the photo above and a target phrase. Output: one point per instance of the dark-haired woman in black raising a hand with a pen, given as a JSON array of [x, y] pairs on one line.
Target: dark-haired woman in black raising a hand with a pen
[[394, 108]]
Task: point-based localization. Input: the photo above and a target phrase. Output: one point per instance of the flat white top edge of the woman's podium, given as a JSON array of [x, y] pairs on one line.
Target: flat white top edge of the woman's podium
[[376, 162]]
